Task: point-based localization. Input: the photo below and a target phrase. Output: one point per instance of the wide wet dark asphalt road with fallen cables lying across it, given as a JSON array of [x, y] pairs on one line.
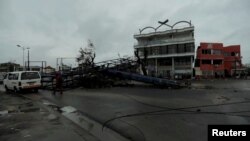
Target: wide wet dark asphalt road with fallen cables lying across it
[[147, 113]]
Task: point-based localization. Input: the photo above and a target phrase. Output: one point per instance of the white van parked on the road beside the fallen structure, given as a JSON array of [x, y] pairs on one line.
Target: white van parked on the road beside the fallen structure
[[22, 80]]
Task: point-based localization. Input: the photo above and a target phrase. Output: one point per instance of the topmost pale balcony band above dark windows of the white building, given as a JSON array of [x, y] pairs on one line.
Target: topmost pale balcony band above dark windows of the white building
[[164, 42]]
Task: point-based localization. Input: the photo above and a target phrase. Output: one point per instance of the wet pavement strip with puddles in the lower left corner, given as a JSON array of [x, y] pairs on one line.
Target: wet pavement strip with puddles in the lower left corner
[[26, 120]]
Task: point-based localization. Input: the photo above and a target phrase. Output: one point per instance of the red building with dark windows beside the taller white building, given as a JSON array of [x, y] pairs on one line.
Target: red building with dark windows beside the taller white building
[[214, 60]]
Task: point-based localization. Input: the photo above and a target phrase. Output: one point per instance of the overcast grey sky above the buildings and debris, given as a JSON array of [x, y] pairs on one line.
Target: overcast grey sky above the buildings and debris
[[58, 28]]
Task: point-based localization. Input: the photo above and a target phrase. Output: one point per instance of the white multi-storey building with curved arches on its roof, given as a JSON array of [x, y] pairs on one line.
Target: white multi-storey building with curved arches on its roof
[[170, 53]]
